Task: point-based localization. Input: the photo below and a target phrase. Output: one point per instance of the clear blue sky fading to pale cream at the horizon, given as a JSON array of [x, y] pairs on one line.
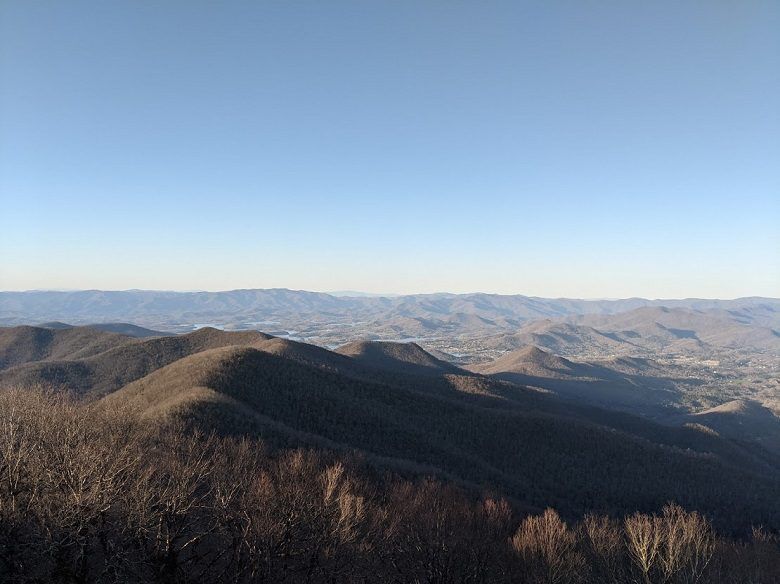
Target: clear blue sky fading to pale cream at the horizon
[[551, 148]]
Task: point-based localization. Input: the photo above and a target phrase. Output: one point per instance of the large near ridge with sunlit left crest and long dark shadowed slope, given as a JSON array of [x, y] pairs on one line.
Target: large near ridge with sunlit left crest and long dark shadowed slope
[[535, 457]]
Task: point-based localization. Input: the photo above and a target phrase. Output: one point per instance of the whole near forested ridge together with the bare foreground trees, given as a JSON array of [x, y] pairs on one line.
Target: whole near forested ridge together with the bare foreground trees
[[223, 457]]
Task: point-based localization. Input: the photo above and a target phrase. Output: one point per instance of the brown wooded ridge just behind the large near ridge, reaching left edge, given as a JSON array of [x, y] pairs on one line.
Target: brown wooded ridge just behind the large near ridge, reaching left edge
[[109, 366]]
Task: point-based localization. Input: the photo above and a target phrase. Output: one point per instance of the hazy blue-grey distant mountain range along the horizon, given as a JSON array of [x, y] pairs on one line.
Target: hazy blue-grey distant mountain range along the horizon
[[308, 313]]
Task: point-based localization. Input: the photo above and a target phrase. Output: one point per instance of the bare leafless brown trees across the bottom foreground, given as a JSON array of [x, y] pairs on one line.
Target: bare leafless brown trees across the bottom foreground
[[88, 495]]
